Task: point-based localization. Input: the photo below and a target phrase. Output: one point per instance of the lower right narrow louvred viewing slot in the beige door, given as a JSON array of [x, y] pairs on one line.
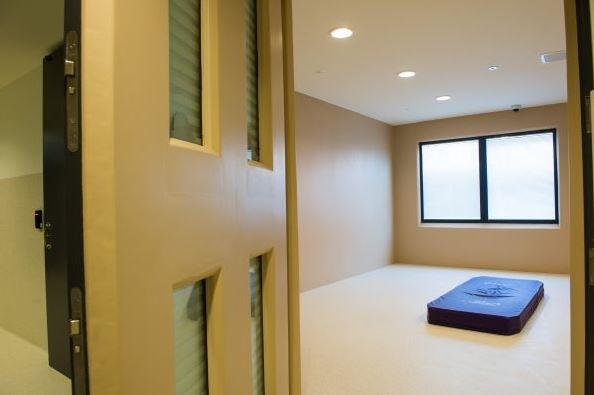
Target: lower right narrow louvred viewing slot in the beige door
[[257, 325]]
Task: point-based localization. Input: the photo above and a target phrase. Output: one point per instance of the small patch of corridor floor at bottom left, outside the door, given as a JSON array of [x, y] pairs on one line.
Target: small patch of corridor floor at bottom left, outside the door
[[24, 369]]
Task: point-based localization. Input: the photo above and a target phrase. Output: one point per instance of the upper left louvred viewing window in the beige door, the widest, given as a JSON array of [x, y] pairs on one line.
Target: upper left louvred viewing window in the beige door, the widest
[[185, 71]]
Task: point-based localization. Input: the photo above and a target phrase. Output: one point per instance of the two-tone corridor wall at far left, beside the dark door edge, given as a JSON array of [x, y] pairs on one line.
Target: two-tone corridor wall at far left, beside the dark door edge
[[22, 279]]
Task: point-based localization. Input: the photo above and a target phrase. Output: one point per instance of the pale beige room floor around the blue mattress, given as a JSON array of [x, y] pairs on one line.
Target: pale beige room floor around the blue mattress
[[368, 335]]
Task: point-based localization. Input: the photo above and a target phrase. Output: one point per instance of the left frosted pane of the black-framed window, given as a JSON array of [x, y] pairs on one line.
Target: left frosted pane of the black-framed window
[[451, 180]]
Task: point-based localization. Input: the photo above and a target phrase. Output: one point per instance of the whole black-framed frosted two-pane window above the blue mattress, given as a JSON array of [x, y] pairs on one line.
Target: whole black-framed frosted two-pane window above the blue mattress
[[509, 178]]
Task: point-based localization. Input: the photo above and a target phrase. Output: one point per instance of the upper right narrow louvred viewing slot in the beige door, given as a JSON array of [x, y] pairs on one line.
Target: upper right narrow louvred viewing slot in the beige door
[[253, 80]]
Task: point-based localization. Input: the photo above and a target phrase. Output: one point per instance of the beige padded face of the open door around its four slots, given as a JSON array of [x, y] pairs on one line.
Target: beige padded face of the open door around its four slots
[[158, 214]]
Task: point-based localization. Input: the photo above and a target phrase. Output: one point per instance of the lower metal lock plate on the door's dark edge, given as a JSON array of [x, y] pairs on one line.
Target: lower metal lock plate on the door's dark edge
[[78, 343]]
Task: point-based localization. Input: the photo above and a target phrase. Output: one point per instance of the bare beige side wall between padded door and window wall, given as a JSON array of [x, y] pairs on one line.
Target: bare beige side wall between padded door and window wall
[[344, 192]]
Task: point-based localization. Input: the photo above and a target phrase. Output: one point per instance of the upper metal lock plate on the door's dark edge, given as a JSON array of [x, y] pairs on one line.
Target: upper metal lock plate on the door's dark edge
[[72, 75]]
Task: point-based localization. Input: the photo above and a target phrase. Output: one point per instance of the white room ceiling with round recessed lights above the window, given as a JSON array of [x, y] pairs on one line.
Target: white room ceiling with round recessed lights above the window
[[449, 44]]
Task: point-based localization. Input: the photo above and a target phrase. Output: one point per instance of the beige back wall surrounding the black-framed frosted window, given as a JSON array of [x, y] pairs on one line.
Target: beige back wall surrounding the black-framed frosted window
[[487, 246]]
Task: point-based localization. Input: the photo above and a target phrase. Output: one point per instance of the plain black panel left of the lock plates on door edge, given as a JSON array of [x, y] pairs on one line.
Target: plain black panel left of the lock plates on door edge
[[54, 200]]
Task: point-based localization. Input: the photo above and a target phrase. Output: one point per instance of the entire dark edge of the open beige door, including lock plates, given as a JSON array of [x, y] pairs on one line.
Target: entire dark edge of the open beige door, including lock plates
[[62, 185]]
